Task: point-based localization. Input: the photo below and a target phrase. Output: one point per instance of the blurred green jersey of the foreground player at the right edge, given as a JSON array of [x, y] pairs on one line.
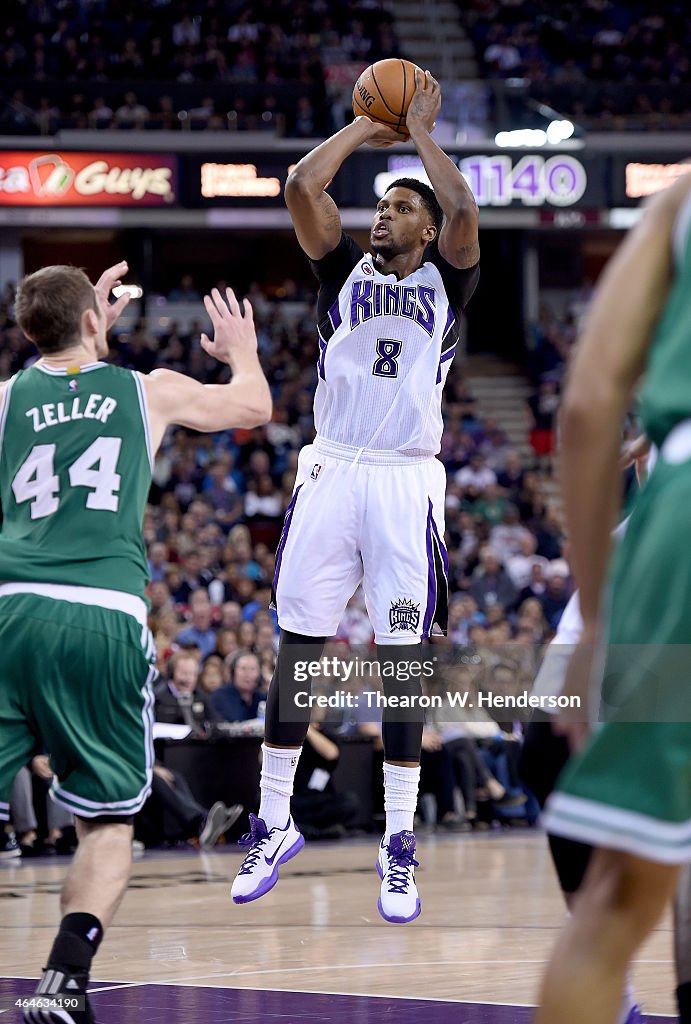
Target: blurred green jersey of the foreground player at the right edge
[[666, 399]]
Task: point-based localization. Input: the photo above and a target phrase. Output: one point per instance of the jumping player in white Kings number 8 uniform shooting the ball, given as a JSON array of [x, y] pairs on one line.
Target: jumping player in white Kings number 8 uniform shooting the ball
[[369, 499]]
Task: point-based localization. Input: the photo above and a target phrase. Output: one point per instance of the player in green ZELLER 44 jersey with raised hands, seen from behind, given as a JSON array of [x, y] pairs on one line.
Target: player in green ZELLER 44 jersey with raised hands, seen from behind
[[78, 439]]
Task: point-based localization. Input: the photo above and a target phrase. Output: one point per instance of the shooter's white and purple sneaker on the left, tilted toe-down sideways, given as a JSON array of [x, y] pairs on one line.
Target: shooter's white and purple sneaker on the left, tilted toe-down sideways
[[260, 871]]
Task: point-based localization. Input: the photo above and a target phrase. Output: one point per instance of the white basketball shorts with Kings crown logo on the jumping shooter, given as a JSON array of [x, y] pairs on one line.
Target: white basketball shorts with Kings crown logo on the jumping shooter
[[371, 518]]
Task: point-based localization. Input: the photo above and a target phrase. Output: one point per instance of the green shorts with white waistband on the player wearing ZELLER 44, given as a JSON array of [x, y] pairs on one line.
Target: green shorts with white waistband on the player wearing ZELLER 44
[[76, 684]]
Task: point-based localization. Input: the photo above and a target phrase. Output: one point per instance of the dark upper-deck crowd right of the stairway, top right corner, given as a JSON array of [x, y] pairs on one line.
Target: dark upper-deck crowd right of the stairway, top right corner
[[608, 64]]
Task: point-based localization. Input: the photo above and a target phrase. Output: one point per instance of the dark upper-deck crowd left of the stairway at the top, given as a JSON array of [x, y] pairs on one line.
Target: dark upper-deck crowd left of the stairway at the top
[[211, 65]]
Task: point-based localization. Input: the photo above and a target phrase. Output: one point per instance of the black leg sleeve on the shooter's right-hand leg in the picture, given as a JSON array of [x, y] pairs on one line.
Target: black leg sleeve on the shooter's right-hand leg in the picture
[[402, 727]]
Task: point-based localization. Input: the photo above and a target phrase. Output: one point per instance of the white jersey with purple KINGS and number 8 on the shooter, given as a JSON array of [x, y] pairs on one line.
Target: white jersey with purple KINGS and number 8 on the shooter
[[385, 350]]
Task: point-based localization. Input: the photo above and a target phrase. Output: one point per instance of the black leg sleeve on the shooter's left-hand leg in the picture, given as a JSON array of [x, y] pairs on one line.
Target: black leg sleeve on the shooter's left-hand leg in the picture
[[286, 721]]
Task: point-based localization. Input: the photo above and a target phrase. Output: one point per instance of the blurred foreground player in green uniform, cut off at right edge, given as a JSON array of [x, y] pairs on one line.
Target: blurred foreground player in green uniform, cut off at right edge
[[629, 794]]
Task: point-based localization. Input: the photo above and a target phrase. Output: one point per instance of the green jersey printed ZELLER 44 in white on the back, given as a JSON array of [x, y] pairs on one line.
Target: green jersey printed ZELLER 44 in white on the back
[[75, 474]]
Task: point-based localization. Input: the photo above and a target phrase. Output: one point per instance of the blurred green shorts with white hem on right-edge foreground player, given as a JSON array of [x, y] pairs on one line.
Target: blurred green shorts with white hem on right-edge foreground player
[[631, 789]]
